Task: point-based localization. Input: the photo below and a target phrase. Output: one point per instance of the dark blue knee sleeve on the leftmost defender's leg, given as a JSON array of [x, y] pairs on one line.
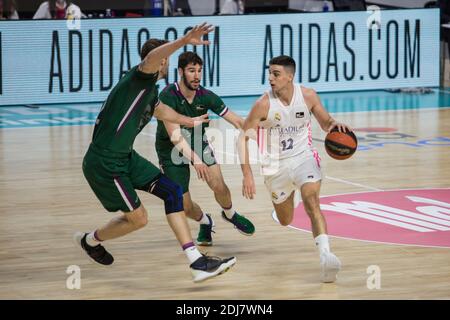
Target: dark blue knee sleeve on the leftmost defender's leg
[[170, 192]]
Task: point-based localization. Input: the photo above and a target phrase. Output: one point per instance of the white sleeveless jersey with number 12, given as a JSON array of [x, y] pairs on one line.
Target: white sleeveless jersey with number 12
[[286, 133]]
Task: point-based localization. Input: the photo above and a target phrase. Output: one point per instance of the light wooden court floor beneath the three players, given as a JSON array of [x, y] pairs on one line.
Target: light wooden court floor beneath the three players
[[44, 199]]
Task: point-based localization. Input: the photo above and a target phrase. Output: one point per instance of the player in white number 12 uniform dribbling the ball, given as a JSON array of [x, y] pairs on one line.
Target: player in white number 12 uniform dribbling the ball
[[280, 121]]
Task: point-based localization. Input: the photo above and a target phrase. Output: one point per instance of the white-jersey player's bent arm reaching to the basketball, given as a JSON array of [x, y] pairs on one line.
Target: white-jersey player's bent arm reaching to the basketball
[[326, 121]]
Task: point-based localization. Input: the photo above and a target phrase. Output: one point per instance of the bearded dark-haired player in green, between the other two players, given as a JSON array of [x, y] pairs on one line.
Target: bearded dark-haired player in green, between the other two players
[[187, 97]]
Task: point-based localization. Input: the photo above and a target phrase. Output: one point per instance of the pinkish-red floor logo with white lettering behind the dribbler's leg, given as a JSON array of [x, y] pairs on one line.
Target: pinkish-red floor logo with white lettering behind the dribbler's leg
[[410, 217]]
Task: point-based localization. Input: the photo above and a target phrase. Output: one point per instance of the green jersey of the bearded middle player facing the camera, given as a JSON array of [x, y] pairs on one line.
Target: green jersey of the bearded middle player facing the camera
[[204, 100]]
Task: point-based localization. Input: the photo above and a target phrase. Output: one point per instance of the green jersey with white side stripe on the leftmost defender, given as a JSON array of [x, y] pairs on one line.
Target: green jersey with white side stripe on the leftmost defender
[[128, 108]]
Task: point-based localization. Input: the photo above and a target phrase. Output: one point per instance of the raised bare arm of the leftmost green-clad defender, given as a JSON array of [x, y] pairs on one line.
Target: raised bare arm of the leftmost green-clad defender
[[152, 61]]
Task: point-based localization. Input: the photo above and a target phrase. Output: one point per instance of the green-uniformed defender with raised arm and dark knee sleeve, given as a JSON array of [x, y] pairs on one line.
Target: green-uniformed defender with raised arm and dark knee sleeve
[[114, 170]]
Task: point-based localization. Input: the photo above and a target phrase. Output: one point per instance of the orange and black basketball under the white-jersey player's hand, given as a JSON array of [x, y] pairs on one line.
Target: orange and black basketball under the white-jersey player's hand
[[340, 145]]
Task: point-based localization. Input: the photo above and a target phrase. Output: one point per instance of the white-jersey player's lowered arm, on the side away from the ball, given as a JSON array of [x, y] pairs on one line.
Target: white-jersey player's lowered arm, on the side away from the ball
[[249, 131]]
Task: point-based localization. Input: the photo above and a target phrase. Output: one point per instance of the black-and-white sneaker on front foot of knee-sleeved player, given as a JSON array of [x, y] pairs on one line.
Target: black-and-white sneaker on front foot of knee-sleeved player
[[207, 267]]
